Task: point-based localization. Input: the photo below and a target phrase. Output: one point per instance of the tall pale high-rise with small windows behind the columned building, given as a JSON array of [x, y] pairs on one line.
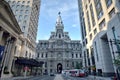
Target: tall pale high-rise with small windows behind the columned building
[[27, 14]]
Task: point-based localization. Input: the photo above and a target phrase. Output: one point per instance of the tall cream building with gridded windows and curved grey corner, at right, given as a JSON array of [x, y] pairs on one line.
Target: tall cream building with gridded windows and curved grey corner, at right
[[96, 29]]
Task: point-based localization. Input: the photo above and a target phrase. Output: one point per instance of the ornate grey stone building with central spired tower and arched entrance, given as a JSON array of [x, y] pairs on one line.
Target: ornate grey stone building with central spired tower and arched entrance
[[59, 52]]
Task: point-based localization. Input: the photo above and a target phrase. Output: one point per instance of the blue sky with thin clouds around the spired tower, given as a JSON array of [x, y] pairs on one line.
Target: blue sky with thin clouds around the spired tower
[[48, 15]]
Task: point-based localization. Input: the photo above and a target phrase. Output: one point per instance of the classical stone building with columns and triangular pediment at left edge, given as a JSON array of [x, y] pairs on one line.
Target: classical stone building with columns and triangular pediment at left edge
[[9, 38]]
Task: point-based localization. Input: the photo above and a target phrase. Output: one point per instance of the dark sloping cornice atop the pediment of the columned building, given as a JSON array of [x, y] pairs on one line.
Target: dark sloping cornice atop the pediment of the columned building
[[15, 26]]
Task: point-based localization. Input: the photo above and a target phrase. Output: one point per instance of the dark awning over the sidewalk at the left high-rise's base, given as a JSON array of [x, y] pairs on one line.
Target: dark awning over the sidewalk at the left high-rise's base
[[28, 62]]
